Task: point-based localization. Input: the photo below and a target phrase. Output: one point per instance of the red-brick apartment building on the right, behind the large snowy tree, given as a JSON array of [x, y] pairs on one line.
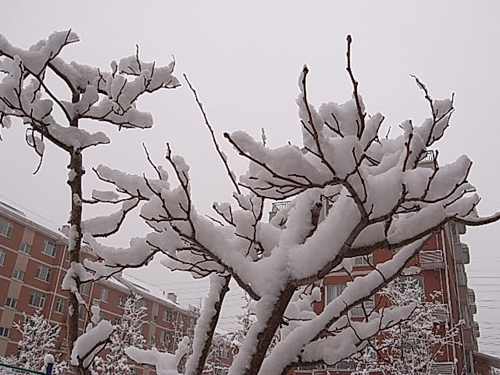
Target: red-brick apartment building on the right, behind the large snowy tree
[[441, 264]]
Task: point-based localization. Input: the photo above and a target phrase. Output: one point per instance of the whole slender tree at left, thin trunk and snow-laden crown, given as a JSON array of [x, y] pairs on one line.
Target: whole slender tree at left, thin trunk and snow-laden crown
[[27, 93]]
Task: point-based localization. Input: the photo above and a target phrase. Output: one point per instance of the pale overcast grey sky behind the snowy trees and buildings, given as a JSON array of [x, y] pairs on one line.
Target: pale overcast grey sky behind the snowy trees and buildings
[[244, 59]]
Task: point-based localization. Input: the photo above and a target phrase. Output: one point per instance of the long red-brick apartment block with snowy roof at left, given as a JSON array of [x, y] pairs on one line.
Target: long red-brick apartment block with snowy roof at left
[[33, 262]]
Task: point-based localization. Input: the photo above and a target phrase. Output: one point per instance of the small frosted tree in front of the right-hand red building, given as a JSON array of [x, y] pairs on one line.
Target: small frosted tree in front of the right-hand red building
[[412, 346]]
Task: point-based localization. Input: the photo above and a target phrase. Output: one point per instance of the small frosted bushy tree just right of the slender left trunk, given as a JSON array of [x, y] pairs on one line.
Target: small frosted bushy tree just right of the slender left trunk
[[127, 333]]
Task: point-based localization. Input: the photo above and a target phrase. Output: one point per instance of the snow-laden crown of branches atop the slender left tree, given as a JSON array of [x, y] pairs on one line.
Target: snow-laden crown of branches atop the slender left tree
[[109, 97]]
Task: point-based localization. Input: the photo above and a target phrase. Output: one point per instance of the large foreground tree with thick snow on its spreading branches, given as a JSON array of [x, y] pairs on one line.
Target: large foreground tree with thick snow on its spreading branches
[[351, 191]]
